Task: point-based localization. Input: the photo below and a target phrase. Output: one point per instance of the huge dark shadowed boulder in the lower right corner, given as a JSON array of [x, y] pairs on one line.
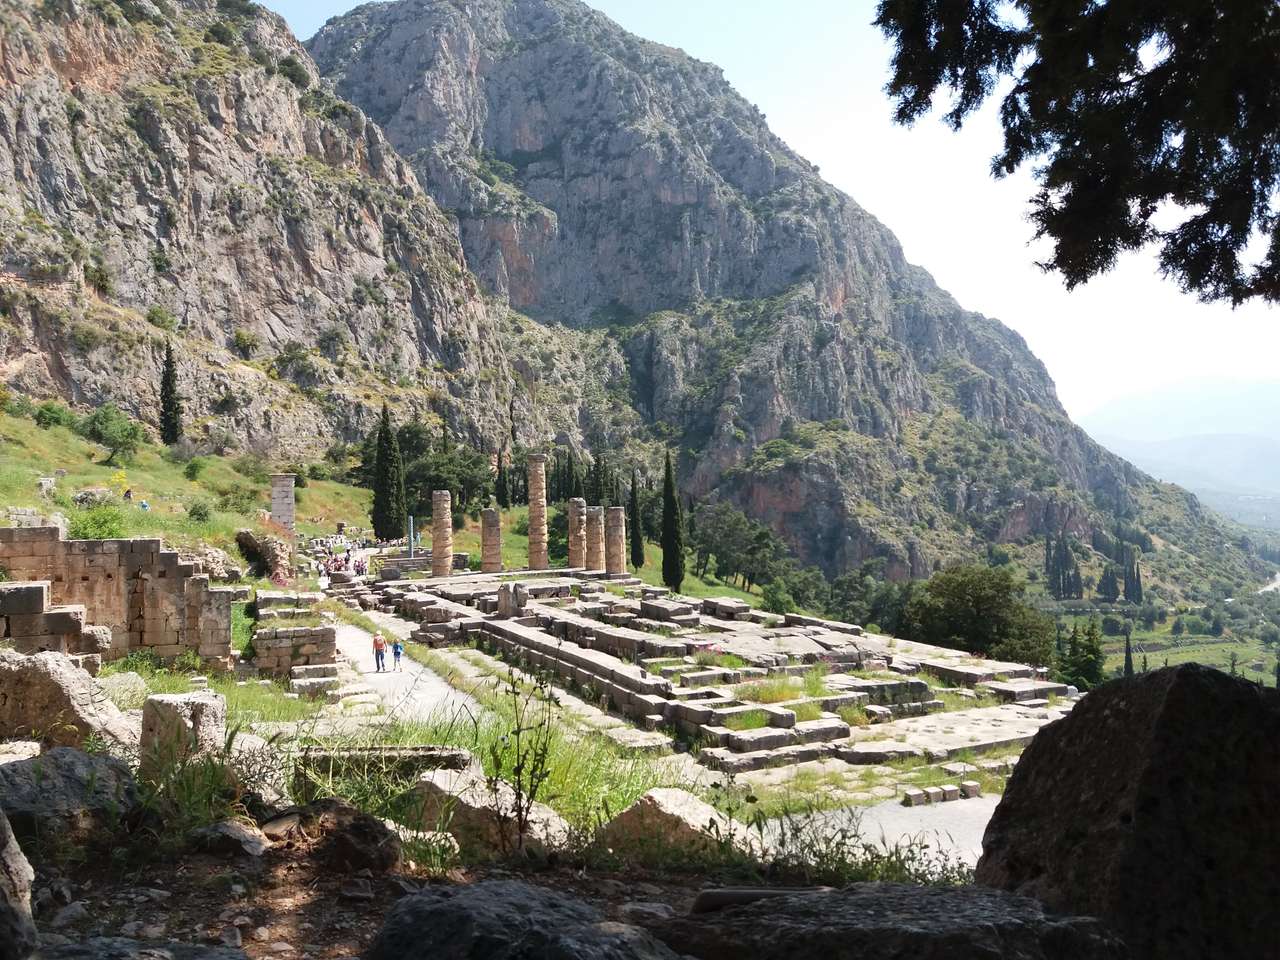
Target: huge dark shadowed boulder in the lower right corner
[[1153, 807]]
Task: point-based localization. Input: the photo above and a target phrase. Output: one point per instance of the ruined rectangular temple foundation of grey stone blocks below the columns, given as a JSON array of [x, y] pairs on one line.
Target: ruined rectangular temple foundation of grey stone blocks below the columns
[[752, 691]]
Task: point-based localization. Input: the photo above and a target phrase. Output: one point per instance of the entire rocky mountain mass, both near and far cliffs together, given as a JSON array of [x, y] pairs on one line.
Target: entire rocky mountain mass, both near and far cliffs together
[[515, 217]]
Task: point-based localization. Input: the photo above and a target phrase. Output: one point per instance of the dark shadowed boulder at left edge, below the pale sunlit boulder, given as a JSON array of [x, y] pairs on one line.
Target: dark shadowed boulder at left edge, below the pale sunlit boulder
[[67, 794]]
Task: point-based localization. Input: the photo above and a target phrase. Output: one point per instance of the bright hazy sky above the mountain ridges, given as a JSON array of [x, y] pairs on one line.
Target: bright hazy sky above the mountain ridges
[[817, 68]]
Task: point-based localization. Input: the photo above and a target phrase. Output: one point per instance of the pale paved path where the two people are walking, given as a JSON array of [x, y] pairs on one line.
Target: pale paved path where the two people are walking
[[414, 693]]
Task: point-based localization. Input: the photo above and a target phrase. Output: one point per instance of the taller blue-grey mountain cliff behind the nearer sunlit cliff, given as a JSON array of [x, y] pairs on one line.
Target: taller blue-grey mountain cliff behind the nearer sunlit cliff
[[767, 321]]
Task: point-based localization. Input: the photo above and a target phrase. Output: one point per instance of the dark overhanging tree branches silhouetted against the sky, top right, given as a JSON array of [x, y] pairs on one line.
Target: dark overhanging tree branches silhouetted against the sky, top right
[[1122, 109]]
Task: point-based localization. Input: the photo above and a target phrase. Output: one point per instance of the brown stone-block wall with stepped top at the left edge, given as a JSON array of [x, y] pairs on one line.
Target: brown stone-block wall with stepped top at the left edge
[[143, 592]]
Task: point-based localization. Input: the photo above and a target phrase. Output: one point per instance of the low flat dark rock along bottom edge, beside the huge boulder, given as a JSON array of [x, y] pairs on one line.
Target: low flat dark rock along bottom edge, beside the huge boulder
[[890, 922]]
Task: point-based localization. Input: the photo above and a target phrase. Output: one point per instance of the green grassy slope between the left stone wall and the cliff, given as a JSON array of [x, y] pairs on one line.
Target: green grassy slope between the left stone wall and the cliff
[[29, 452]]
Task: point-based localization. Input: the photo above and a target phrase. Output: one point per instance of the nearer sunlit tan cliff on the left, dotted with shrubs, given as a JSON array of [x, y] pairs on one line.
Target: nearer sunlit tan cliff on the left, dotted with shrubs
[[184, 161]]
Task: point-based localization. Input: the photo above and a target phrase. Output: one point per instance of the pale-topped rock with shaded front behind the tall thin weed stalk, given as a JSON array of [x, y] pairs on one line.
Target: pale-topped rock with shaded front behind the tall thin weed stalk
[[482, 816]]
